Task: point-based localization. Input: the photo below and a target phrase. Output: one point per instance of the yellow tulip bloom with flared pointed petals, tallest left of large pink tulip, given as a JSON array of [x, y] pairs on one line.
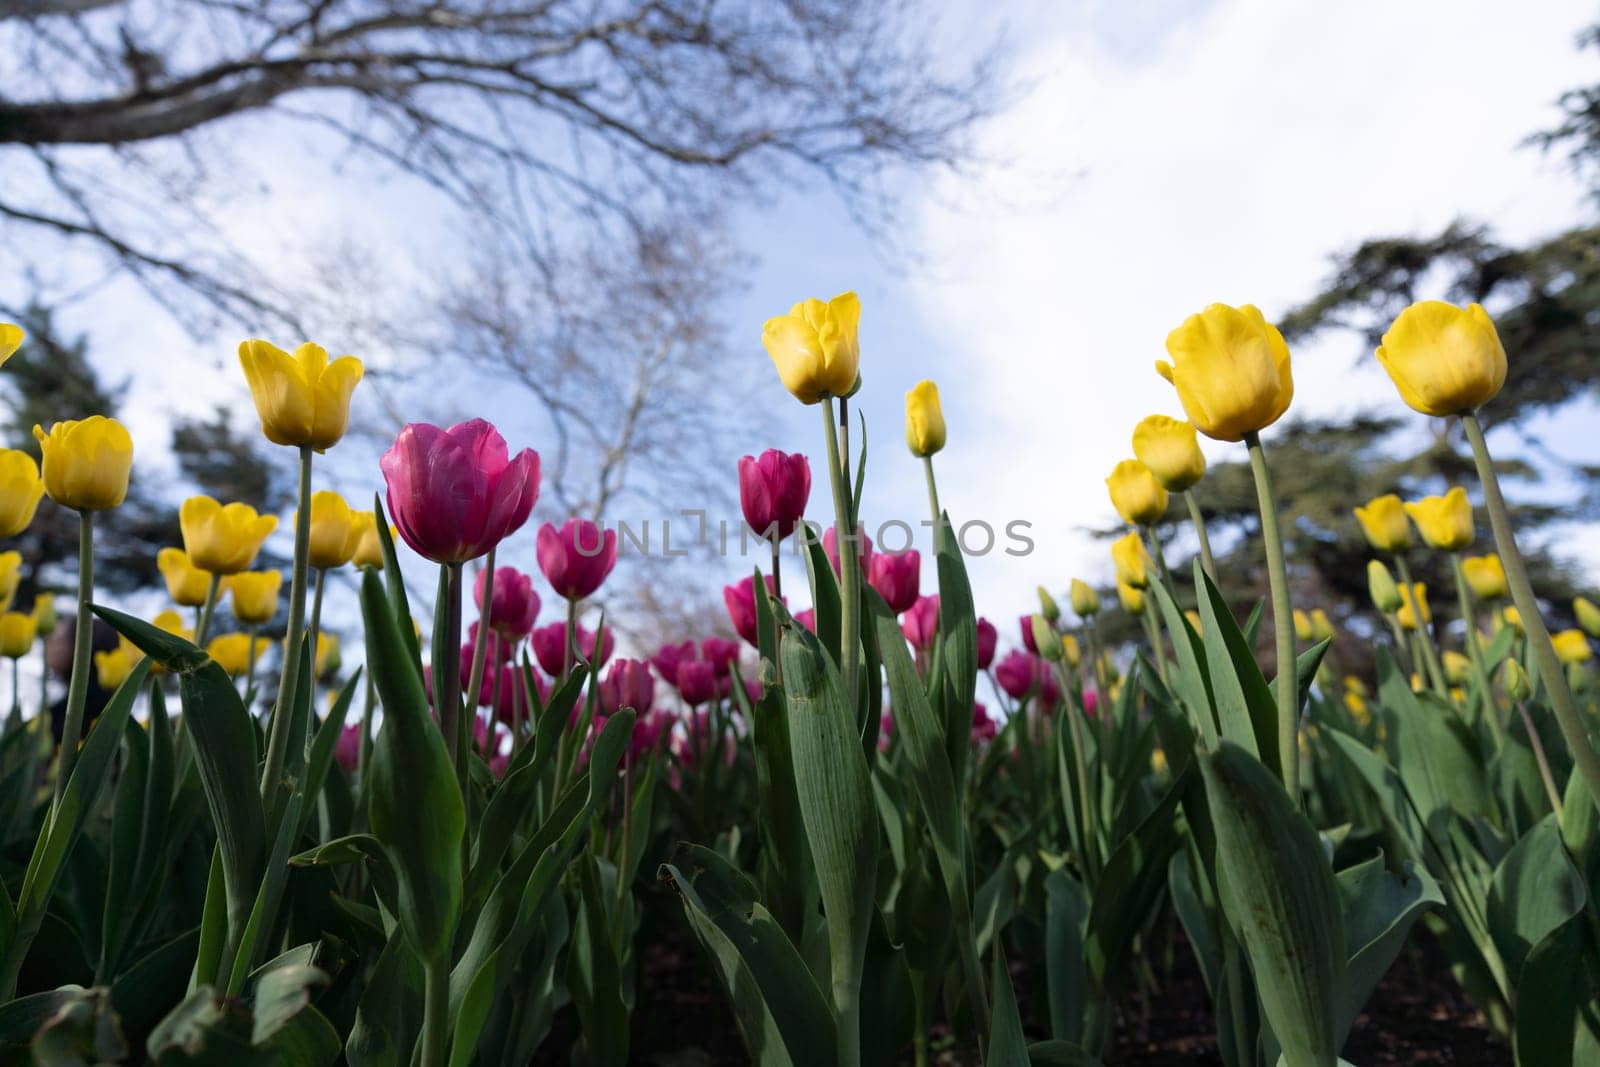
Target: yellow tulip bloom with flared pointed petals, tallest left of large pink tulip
[[302, 399]]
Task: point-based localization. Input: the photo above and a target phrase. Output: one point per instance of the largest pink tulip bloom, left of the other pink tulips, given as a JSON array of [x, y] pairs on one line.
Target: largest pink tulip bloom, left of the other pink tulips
[[454, 495]]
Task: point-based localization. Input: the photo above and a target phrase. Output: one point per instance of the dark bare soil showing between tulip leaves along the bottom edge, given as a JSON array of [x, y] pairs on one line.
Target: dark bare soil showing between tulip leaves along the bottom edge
[[1418, 1017]]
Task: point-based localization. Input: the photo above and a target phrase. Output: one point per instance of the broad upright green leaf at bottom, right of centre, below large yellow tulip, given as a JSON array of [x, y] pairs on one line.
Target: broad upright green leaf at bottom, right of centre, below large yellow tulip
[[1282, 901]]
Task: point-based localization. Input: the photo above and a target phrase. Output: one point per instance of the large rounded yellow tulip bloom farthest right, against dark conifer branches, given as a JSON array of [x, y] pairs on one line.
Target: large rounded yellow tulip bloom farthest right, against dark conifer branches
[[1444, 359]]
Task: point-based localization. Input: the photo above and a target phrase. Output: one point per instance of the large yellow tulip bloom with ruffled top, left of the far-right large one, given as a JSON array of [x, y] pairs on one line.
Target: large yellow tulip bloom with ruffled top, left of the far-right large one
[[1231, 369]]
